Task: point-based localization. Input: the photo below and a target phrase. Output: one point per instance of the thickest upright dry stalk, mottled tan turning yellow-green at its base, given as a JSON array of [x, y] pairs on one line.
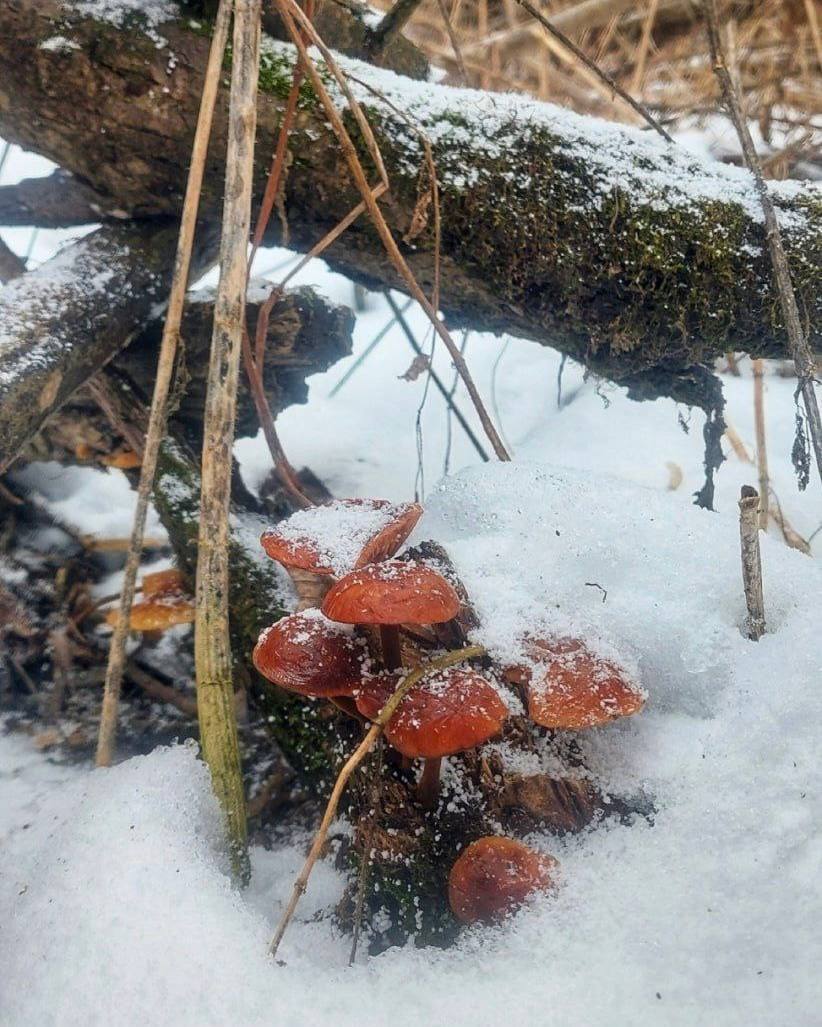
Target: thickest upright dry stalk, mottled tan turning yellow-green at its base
[[212, 646]]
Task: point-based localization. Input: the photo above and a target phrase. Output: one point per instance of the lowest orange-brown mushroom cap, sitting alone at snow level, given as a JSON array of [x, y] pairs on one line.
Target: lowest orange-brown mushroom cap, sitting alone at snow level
[[494, 877]]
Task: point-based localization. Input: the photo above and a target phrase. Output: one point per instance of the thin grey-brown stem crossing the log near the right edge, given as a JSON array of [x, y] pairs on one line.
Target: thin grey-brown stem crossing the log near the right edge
[[798, 340]]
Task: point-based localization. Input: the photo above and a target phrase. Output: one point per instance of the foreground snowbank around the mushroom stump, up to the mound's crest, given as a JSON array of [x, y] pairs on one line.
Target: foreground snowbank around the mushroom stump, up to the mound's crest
[[708, 915]]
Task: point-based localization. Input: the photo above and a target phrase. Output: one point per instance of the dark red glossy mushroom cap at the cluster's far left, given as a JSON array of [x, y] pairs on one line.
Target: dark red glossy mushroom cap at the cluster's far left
[[308, 654]]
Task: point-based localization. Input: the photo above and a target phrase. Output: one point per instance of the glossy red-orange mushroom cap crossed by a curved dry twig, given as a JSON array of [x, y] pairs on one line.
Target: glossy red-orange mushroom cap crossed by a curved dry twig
[[446, 713]]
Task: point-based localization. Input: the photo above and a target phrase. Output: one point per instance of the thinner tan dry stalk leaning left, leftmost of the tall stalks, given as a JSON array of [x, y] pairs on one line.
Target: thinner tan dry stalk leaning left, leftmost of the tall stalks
[[157, 423]]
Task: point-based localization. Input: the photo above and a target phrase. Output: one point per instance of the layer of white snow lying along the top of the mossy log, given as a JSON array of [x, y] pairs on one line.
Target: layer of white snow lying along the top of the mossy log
[[642, 165]]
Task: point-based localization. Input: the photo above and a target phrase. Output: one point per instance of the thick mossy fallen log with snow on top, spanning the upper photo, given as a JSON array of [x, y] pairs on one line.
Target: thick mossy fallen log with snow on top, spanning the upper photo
[[634, 257]]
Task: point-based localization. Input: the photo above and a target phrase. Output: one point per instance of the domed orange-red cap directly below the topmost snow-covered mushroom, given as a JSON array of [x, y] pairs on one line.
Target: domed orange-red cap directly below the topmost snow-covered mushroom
[[395, 592]]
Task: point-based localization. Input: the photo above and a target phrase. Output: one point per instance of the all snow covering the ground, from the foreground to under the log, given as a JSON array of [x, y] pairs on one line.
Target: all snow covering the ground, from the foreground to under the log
[[115, 901]]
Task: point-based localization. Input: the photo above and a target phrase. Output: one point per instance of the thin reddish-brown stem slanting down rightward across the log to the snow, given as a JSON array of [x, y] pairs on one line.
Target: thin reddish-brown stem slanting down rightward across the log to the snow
[[289, 13]]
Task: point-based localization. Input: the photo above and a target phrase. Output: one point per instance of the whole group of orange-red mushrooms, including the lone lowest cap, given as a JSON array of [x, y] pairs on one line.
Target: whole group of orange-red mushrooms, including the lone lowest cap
[[366, 619]]
